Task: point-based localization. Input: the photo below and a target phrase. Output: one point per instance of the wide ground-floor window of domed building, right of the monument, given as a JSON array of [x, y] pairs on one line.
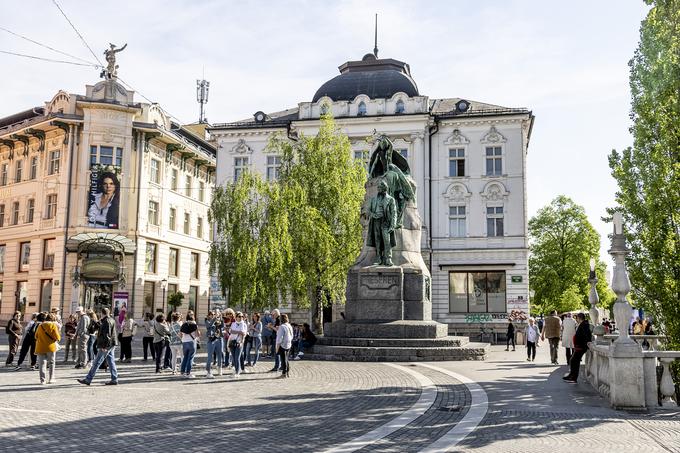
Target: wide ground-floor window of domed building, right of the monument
[[477, 292]]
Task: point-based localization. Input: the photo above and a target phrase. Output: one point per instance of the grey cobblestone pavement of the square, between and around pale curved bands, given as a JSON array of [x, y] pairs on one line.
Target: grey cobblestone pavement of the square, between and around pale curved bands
[[322, 405]]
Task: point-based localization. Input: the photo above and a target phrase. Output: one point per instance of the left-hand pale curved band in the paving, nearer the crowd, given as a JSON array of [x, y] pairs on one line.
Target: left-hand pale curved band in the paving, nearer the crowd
[[428, 395]]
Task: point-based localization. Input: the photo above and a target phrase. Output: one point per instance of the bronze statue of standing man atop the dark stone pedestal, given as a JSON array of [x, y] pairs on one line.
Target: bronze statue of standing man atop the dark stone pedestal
[[383, 220]]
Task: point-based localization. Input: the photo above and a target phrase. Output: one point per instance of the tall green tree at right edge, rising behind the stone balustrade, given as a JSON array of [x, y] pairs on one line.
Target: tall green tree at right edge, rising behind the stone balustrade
[[648, 173]]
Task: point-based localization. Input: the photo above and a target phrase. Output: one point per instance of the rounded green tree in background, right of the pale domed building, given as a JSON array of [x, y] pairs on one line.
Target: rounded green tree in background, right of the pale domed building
[[562, 242]]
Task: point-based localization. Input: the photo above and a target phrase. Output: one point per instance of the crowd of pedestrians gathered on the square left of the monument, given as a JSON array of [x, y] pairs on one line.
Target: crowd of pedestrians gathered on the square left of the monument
[[233, 340]]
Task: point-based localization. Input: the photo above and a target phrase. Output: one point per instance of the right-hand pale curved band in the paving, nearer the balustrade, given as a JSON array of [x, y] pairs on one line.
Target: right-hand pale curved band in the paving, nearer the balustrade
[[478, 409]]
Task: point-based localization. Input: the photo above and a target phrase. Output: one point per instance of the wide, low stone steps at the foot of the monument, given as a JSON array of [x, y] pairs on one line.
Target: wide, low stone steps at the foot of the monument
[[472, 351]]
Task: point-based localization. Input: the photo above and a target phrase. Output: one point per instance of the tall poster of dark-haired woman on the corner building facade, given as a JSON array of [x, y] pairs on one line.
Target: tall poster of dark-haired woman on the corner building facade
[[104, 198]]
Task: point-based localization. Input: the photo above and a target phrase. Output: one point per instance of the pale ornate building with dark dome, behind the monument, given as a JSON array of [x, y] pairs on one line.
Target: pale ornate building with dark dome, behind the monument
[[468, 159]]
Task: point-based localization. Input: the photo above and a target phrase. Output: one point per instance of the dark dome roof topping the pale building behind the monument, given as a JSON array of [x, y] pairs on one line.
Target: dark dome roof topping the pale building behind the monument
[[370, 76]]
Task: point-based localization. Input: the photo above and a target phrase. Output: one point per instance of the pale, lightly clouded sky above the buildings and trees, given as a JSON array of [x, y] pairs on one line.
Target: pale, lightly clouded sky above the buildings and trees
[[565, 61]]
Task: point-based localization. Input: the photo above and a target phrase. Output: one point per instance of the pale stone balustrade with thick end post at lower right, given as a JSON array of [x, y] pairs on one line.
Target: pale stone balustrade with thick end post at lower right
[[627, 377]]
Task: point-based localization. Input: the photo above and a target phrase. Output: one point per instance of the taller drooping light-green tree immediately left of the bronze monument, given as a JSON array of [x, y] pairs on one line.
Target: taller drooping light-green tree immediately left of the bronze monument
[[324, 190]]
